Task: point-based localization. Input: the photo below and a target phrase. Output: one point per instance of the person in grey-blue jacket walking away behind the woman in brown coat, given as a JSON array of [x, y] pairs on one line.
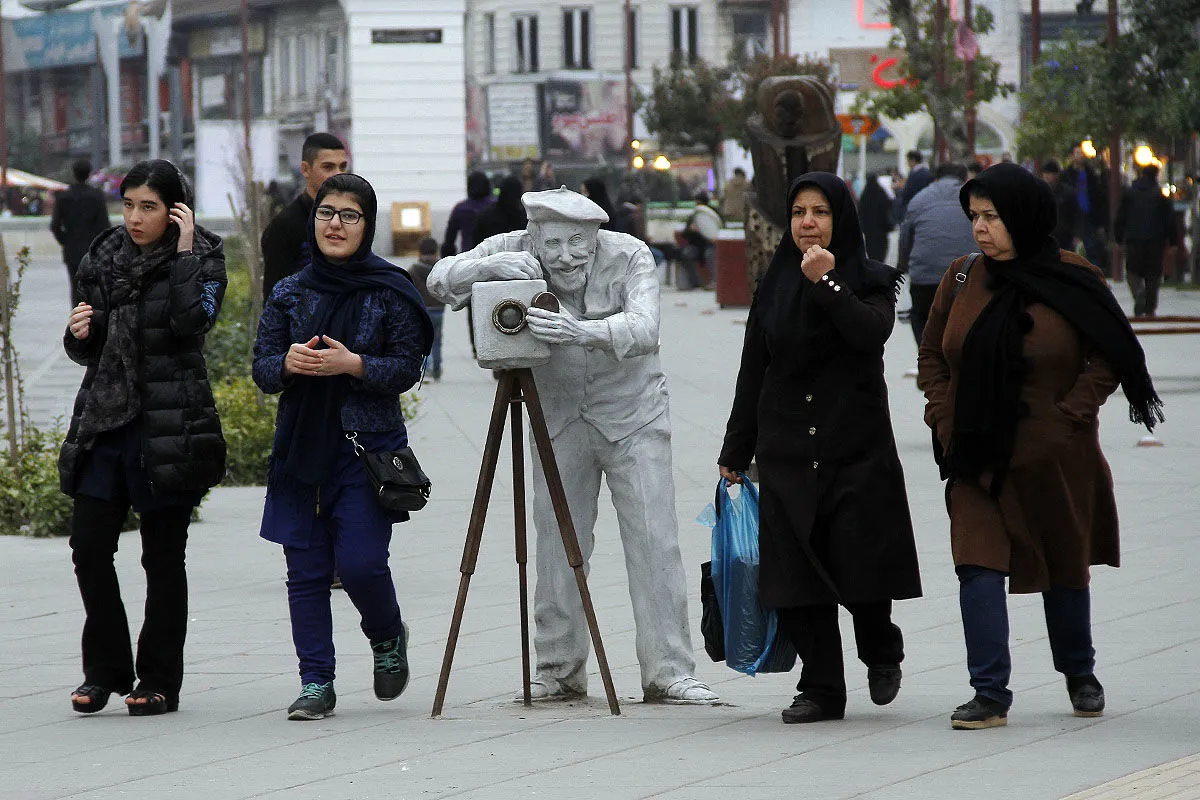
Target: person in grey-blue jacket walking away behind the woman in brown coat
[[933, 236]]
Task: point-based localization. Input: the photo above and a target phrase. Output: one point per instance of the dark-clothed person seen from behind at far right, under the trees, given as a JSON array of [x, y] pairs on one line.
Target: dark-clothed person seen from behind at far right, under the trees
[[1145, 230]]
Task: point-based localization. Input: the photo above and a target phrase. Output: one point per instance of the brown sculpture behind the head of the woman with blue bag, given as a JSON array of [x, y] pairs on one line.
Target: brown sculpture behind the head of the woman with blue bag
[[795, 131]]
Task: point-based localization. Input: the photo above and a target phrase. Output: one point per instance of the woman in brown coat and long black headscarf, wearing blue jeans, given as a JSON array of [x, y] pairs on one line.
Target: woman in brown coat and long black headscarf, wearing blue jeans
[[1023, 347]]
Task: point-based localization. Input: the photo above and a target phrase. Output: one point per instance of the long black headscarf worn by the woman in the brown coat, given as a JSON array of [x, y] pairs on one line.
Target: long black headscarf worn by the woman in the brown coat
[[988, 400]]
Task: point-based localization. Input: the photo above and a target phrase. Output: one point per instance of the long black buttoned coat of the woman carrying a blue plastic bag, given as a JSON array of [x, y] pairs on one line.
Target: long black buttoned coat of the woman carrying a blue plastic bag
[[835, 524]]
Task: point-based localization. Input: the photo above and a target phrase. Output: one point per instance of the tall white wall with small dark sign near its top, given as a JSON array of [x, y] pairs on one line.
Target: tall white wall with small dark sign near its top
[[409, 104]]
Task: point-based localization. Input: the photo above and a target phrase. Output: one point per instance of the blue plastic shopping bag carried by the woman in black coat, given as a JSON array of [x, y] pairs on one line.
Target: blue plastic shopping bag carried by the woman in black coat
[[753, 643]]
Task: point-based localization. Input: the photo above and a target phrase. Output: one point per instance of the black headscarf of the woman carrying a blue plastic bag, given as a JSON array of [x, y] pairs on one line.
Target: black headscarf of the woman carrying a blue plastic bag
[[794, 321]]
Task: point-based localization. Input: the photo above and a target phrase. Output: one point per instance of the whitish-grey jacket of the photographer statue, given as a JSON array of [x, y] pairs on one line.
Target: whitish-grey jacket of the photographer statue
[[617, 387]]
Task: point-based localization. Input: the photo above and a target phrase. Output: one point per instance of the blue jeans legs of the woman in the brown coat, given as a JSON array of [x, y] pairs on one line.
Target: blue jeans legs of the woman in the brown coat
[[986, 628]]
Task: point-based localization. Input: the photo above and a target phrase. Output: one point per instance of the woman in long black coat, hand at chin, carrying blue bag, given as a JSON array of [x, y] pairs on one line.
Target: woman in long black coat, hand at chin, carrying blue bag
[[812, 406]]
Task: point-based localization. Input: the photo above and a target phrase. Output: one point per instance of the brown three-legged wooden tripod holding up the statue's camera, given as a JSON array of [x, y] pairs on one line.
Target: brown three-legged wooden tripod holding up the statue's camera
[[517, 387]]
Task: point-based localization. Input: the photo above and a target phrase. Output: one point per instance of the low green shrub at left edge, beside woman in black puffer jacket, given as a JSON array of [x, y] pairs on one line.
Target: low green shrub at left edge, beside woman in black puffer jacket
[[31, 502]]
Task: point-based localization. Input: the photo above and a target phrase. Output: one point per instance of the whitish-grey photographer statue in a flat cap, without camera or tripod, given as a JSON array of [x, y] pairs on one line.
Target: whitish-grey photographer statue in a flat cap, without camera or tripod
[[605, 399]]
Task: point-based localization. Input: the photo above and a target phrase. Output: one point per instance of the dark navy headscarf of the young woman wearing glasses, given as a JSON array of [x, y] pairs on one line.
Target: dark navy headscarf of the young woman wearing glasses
[[308, 432]]
